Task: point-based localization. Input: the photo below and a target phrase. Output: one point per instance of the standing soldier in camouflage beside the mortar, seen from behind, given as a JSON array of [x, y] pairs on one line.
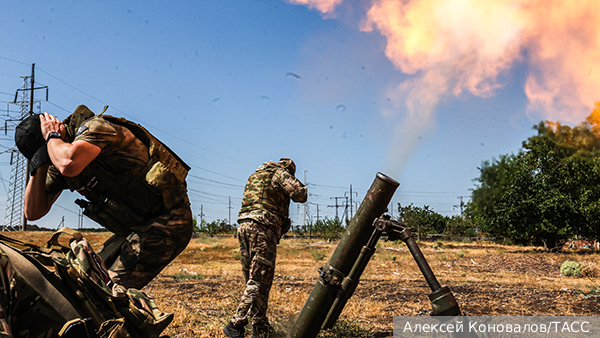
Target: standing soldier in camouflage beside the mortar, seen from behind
[[263, 219]]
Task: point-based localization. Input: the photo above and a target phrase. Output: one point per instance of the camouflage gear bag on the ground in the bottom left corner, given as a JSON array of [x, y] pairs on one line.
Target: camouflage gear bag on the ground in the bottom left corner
[[65, 291]]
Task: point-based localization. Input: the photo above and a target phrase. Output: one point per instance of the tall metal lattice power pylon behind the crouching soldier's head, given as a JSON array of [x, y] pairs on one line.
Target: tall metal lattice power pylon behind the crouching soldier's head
[[19, 176]]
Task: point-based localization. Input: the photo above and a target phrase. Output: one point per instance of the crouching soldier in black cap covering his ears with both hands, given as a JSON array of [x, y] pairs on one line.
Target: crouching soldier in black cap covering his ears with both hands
[[137, 198]]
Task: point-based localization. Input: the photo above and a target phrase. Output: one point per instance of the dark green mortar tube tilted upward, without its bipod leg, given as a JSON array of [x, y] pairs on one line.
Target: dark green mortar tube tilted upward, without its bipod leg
[[313, 314]]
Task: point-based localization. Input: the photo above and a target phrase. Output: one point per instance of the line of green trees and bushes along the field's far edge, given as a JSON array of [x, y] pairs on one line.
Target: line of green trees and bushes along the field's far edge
[[546, 193]]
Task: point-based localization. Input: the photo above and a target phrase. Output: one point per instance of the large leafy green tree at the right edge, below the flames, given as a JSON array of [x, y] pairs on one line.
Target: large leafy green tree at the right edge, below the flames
[[546, 193]]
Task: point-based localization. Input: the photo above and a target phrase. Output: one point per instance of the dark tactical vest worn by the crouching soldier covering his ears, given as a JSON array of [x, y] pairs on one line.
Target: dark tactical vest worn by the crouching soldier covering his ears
[[119, 202]]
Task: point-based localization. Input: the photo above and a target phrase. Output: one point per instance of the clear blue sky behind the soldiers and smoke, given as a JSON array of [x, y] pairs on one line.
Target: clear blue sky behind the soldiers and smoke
[[231, 84]]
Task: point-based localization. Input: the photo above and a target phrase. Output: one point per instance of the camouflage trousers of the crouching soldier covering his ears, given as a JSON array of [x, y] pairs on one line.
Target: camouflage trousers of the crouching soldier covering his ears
[[141, 256]]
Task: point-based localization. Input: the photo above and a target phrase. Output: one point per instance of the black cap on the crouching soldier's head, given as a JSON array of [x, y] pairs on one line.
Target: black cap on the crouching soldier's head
[[31, 143]]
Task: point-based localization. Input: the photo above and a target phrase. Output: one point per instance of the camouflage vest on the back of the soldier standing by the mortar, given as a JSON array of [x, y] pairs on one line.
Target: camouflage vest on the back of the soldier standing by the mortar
[[260, 194]]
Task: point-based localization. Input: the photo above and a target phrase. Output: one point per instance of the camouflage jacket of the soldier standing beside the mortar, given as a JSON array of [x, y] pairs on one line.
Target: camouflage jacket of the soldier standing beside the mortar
[[267, 195]]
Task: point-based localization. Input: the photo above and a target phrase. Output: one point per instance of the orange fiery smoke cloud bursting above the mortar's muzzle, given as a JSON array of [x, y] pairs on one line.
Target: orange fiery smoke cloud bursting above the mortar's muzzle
[[456, 46]]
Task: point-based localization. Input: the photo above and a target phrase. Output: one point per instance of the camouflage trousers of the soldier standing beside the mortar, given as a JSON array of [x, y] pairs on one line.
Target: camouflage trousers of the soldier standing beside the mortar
[[258, 249]]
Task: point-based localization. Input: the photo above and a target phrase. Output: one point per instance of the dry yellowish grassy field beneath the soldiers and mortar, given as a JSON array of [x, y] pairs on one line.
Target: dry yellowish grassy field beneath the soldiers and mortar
[[203, 285]]
